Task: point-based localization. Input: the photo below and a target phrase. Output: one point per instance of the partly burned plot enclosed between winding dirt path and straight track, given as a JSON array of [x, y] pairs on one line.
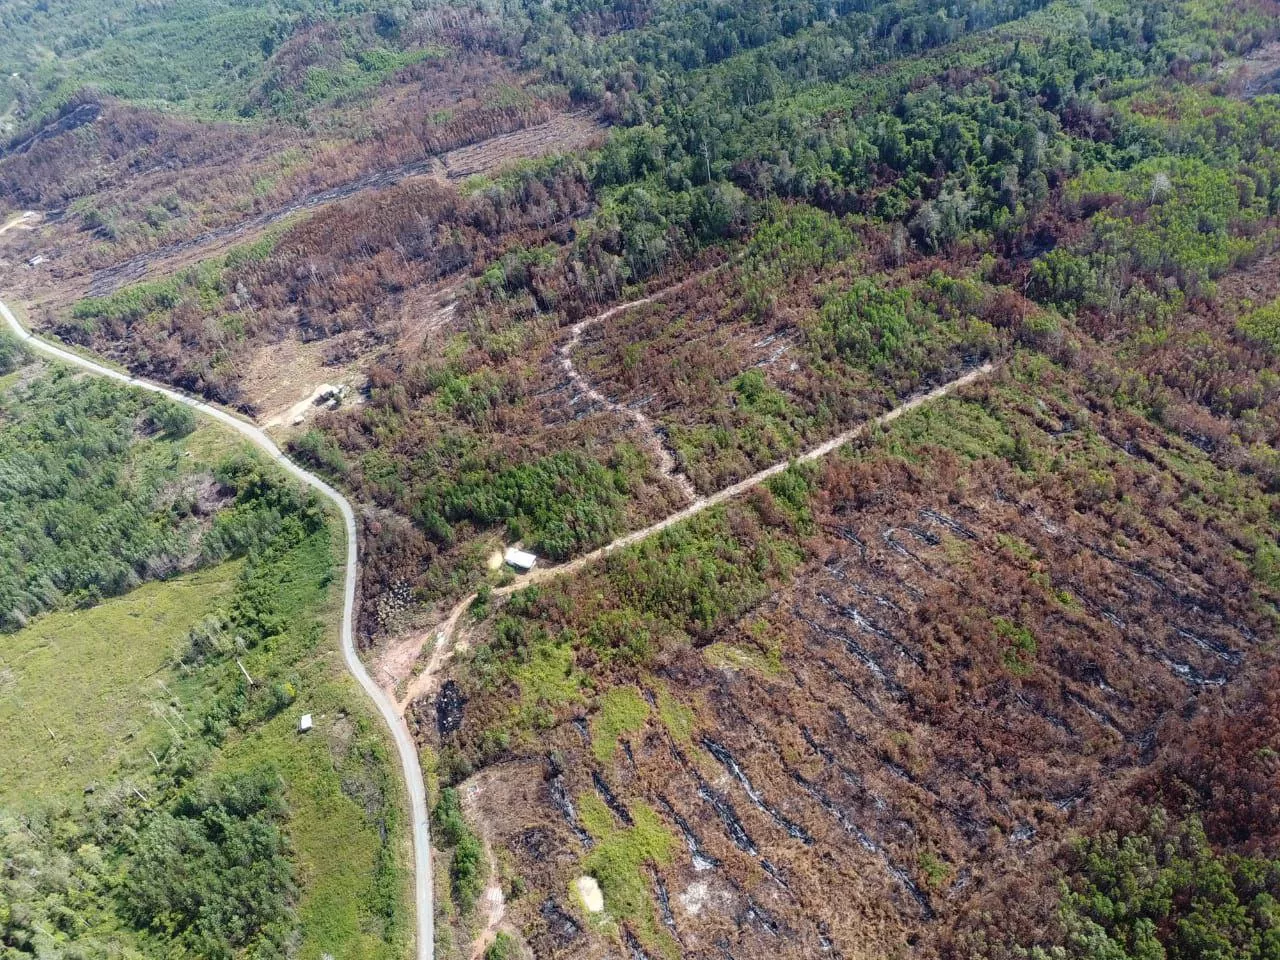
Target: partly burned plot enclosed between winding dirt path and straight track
[[785, 346]]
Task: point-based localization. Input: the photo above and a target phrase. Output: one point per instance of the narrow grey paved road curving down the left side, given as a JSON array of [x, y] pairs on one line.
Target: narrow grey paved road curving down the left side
[[405, 746]]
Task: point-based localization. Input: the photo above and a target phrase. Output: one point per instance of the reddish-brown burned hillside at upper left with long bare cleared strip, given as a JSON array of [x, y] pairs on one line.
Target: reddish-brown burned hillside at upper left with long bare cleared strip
[[131, 193]]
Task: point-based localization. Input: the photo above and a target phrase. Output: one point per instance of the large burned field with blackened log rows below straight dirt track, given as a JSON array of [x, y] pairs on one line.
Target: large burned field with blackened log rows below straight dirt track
[[930, 668]]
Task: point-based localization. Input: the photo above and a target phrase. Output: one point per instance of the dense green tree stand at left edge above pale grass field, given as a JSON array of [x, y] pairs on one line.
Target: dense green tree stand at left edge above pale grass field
[[85, 514]]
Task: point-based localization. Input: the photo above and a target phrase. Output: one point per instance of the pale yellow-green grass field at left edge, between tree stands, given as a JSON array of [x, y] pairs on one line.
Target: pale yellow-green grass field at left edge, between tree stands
[[94, 678]]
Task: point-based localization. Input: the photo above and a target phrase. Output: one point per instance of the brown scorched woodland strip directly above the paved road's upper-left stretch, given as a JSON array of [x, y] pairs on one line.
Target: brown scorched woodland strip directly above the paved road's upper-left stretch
[[356, 267]]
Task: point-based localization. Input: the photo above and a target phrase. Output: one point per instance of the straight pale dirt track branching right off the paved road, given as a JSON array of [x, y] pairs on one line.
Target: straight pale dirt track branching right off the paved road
[[444, 636]]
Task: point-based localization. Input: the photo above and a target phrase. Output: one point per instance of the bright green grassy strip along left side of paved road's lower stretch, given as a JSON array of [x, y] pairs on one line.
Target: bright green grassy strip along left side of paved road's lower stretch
[[341, 787]]
